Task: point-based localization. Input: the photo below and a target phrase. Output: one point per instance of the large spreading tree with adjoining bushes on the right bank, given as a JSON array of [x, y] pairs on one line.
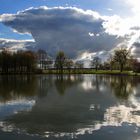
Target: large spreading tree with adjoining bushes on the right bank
[[122, 60]]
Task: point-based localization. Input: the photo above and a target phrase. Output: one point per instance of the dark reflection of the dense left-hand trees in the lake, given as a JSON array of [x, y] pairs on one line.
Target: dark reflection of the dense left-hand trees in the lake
[[12, 87]]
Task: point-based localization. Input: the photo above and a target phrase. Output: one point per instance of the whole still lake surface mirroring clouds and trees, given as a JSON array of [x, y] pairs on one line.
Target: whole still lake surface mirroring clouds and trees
[[83, 107]]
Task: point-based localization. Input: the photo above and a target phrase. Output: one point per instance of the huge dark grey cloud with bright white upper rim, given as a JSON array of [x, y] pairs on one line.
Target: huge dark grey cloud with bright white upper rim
[[69, 29]]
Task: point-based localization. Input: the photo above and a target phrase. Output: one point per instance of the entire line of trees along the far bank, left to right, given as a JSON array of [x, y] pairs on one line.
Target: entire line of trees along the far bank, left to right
[[29, 62]]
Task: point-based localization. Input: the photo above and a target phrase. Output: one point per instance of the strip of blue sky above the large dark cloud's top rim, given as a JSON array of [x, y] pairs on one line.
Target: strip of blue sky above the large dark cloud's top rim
[[12, 6]]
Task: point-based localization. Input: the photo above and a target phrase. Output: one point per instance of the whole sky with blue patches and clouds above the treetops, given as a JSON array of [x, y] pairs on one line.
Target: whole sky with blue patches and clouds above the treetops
[[82, 28]]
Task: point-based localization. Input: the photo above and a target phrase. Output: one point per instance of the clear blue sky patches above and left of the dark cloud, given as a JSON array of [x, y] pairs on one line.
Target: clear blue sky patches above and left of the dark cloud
[[13, 6]]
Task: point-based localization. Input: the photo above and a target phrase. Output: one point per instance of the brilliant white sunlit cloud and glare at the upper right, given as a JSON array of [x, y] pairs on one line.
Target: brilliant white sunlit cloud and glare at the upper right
[[127, 27]]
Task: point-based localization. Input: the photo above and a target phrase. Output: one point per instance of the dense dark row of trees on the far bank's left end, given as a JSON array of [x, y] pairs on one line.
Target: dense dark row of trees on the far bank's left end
[[19, 62]]
